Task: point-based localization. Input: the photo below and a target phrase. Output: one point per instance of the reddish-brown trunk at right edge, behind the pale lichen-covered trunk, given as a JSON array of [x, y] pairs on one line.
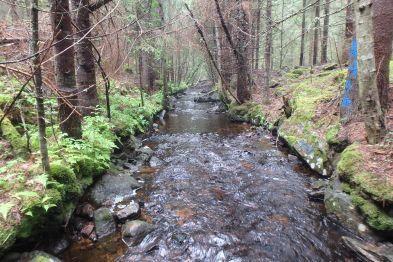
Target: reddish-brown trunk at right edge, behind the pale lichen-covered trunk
[[383, 36]]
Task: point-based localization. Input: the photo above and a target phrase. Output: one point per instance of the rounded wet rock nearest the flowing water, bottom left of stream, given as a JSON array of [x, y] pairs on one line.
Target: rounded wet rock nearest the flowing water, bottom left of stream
[[134, 231]]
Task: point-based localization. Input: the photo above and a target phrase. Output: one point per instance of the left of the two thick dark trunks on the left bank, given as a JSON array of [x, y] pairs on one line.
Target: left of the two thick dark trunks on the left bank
[[70, 120]]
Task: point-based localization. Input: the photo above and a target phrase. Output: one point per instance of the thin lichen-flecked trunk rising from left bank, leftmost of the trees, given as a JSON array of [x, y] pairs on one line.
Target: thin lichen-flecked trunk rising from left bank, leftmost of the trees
[[38, 87]]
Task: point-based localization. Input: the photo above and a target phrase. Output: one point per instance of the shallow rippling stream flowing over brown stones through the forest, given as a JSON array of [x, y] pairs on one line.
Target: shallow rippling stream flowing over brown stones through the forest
[[222, 191]]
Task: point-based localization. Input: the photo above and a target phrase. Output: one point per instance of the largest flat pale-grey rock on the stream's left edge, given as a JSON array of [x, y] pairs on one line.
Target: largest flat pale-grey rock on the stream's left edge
[[111, 186]]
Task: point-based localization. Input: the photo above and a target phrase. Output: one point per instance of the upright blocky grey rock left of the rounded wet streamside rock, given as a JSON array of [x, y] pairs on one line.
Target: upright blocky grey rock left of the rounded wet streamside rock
[[104, 222]]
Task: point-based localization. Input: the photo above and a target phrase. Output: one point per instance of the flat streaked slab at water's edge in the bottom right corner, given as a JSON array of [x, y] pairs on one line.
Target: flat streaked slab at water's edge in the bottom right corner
[[369, 252]]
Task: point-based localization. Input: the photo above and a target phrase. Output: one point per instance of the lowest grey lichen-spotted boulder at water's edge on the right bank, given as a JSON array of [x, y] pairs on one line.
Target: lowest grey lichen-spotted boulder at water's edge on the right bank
[[339, 205]]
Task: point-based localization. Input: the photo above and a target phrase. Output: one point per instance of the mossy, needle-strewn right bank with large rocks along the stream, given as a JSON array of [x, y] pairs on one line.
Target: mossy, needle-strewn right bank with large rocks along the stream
[[303, 109]]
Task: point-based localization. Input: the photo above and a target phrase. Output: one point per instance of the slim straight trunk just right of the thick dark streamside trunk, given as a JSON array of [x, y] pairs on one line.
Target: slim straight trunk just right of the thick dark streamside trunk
[[268, 44]]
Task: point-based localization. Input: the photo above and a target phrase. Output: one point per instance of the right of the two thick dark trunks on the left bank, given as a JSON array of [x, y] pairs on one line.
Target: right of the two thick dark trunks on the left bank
[[85, 62]]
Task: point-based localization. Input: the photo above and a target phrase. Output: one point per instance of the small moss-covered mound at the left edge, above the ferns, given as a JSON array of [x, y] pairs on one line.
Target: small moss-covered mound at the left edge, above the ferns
[[9, 132]]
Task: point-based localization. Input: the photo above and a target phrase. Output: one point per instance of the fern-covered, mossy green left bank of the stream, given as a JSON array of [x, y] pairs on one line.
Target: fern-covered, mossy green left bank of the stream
[[33, 202]]
